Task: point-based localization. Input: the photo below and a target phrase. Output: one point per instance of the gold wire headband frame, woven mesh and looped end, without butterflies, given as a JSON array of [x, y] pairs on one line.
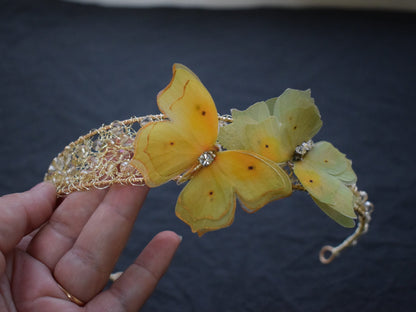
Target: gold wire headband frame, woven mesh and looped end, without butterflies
[[102, 158]]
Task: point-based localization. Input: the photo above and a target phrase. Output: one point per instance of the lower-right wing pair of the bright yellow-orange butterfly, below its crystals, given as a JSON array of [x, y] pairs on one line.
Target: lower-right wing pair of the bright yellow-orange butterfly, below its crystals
[[208, 201]]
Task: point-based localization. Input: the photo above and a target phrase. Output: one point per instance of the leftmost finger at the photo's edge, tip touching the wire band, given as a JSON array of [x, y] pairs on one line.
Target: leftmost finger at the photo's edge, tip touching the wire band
[[21, 213]]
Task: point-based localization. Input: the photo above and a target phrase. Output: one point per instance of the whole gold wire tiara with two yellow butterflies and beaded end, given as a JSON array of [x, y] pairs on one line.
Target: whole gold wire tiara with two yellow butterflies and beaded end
[[258, 155]]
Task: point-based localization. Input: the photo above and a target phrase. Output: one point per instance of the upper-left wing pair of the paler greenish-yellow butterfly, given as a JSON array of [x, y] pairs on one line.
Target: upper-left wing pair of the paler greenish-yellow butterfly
[[275, 127]]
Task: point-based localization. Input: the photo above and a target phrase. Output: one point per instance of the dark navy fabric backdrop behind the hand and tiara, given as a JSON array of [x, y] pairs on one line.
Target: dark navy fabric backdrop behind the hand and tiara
[[67, 68]]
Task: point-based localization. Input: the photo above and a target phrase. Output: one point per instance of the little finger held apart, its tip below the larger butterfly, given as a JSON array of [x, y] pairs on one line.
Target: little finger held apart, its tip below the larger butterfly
[[136, 284]]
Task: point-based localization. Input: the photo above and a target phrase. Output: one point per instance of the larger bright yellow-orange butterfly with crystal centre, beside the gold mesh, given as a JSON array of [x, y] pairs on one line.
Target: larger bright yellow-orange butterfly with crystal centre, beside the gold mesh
[[184, 147]]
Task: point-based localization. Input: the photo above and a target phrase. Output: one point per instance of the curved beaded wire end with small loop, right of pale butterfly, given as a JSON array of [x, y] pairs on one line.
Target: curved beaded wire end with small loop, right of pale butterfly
[[364, 209]]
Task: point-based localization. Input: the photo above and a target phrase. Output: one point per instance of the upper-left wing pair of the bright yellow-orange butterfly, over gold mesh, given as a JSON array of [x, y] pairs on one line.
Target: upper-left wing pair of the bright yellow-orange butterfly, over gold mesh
[[165, 149]]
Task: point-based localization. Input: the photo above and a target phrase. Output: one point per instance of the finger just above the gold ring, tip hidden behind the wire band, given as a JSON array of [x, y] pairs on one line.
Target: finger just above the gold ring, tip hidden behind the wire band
[[85, 268]]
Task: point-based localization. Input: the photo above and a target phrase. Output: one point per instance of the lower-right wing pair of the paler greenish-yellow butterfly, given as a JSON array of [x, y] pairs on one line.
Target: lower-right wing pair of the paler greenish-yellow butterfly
[[325, 173]]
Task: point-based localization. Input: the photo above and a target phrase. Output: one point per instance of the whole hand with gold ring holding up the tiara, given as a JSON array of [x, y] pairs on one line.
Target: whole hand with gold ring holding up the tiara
[[75, 245]]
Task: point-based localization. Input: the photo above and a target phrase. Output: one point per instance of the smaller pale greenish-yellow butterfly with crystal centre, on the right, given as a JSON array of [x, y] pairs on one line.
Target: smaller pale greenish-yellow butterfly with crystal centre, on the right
[[281, 128]]
